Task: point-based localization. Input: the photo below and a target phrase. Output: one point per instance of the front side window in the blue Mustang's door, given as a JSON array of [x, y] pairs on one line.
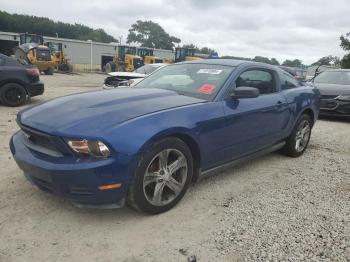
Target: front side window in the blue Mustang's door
[[260, 79]]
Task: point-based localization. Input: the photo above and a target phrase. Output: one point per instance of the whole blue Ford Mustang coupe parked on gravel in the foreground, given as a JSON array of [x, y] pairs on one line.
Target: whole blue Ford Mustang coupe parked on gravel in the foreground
[[144, 145]]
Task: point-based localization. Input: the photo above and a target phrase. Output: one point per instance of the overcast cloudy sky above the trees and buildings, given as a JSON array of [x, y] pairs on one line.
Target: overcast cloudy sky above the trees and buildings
[[299, 29]]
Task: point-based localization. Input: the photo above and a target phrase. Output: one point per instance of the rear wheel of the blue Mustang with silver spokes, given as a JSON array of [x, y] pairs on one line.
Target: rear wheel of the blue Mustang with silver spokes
[[298, 140]]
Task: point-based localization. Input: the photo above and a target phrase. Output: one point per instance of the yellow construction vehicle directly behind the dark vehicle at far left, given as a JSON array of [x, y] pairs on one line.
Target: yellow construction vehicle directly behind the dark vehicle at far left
[[32, 51]]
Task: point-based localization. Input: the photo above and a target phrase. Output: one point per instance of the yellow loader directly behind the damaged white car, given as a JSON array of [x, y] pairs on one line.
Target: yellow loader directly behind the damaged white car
[[125, 61]]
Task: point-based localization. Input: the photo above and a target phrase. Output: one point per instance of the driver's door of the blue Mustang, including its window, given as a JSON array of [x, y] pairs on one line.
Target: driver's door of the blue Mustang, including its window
[[255, 123]]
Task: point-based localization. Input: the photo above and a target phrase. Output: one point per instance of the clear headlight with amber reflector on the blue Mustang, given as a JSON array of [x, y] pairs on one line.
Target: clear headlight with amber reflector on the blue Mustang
[[93, 148]]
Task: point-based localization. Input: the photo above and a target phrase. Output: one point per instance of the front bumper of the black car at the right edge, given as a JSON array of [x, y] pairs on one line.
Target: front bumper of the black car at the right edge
[[335, 107]]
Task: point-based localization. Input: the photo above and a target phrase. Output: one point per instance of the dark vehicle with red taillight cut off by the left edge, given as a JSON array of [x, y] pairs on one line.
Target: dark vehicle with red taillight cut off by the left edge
[[18, 82]]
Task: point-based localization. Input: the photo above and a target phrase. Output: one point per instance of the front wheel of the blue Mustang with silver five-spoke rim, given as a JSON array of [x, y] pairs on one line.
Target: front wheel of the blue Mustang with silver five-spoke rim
[[153, 174]]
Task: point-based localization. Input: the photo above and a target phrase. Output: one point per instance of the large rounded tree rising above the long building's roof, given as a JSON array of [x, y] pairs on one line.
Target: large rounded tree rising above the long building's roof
[[150, 34]]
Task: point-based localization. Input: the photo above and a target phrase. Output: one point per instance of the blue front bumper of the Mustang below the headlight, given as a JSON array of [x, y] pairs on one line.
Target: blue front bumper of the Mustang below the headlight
[[77, 181]]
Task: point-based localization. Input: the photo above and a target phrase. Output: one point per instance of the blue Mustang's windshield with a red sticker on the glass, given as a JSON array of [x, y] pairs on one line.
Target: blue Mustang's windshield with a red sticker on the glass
[[196, 80]]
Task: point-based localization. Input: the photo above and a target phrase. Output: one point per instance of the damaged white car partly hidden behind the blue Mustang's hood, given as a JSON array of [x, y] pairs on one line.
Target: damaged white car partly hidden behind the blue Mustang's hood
[[120, 79]]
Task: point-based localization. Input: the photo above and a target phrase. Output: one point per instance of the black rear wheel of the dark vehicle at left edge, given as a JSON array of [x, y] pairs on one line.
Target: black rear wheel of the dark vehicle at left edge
[[13, 94]]
